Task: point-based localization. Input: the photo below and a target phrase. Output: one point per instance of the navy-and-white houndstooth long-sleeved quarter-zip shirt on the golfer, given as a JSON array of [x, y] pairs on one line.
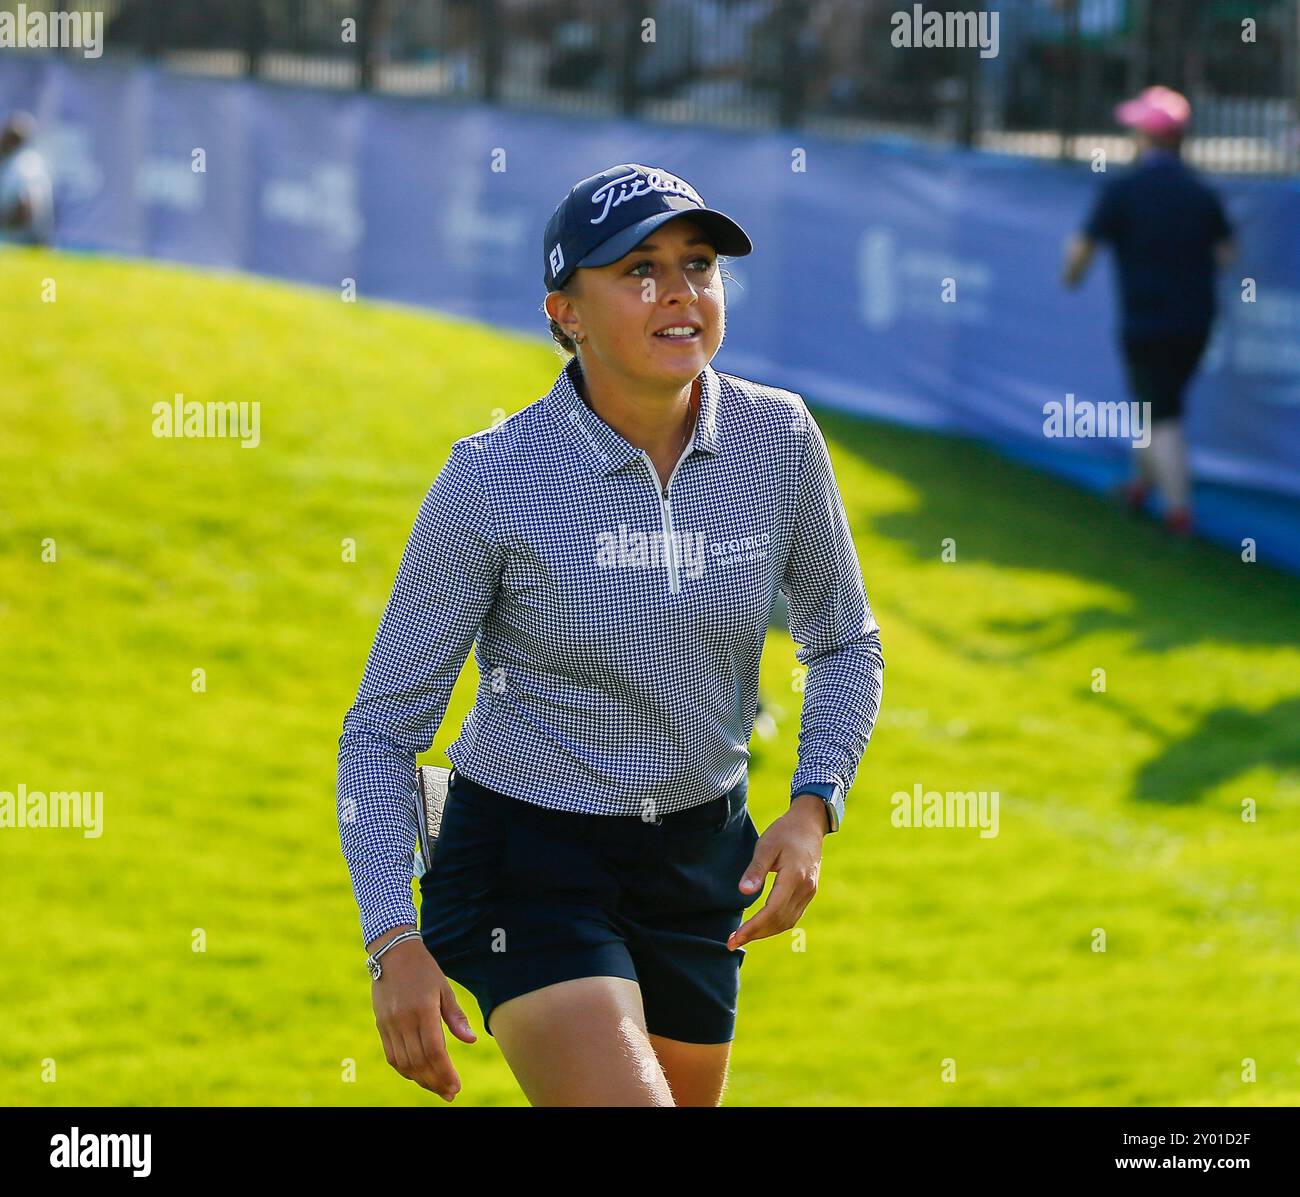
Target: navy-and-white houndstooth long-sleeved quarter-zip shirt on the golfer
[[617, 624]]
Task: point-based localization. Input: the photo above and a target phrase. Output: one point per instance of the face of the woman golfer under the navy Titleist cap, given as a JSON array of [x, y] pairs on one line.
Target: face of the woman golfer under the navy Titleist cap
[[670, 279]]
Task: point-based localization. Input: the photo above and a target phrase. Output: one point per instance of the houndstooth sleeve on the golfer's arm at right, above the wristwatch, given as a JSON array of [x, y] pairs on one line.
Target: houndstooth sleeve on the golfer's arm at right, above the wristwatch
[[831, 622]]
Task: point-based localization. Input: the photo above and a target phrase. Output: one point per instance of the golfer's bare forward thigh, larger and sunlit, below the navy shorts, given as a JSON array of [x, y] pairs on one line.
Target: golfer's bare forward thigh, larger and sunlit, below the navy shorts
[[582, 1043]]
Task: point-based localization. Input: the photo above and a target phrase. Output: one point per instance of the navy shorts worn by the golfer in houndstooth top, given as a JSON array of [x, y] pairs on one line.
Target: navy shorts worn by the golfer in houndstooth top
[[519, 896]]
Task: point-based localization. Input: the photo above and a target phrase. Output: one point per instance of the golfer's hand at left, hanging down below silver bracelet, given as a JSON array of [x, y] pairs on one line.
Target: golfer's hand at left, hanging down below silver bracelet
[[411, 1001]]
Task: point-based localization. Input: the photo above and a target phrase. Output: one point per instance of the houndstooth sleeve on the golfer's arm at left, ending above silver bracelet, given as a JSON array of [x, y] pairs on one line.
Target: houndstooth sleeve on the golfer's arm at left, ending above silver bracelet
[[447, 583]]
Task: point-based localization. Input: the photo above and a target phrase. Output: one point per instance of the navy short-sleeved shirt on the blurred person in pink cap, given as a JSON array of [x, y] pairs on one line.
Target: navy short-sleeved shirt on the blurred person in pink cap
[[1164, 224]]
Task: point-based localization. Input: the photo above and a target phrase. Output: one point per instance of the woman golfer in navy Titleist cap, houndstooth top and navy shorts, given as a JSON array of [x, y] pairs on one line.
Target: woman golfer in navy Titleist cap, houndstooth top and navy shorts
[[612, 552]]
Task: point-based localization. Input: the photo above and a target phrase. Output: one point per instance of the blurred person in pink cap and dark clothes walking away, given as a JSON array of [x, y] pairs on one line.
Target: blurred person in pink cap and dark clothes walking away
[[1169, 233]]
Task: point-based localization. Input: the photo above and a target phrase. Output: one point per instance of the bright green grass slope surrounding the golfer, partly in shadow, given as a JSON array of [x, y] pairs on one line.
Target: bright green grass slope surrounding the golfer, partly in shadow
[[1120, 810]]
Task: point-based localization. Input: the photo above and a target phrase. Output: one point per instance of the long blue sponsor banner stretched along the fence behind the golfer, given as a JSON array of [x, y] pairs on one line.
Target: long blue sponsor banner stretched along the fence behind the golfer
[[894, 281]]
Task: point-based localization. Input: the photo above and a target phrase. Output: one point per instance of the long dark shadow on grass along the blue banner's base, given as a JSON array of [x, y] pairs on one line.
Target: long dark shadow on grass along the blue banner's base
[[1009, 515]]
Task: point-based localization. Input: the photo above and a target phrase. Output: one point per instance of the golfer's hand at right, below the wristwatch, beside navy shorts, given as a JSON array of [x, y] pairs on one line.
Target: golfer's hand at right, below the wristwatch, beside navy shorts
[[792, 849]]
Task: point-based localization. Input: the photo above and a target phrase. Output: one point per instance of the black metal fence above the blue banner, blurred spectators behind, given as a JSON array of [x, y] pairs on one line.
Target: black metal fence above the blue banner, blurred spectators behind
[[1045, 81]]
